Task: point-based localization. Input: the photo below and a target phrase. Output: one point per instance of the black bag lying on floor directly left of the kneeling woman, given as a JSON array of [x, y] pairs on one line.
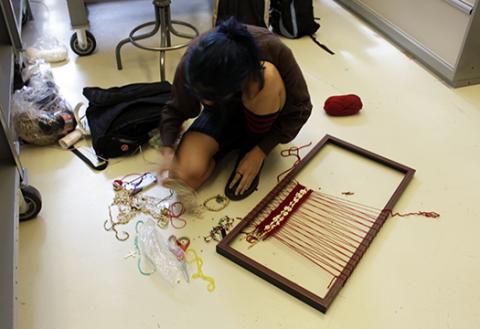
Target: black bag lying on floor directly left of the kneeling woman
[[120, 118]]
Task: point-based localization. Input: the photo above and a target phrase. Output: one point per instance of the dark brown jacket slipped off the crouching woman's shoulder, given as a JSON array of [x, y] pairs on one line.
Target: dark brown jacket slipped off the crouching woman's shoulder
[[291, 118]]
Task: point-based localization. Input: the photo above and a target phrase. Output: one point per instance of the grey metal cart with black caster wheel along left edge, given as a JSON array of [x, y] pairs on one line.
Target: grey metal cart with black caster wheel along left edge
[[18, 200]]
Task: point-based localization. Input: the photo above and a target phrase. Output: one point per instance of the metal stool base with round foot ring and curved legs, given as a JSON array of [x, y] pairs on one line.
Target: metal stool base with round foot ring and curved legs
[[164, 24]]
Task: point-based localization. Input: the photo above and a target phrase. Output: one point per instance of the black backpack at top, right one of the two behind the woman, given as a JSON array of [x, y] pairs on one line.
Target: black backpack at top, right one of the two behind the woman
[[292, 18]]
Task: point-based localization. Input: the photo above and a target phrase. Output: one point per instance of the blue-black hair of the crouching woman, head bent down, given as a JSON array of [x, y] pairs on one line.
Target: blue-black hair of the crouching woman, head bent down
[[217, 66]]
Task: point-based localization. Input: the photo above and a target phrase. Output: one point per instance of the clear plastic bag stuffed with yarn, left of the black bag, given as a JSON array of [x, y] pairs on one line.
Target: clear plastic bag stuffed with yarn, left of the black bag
[[41, 115]]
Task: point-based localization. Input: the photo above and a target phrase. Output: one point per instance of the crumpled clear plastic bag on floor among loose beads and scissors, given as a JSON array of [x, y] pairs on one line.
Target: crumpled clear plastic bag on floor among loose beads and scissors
[[159, 254]]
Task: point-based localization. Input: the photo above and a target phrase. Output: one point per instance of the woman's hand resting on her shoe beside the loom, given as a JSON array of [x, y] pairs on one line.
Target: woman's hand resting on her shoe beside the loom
[[247, 169]]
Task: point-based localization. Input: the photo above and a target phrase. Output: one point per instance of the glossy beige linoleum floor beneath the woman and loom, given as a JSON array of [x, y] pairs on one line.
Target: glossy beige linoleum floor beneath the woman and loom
[[419, 273]]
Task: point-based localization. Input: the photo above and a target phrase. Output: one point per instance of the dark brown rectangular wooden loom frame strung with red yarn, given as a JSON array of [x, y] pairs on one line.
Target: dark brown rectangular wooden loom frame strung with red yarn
[[322, 304]]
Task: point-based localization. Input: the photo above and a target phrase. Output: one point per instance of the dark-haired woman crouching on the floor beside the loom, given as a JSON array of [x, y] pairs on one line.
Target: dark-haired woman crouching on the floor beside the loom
[[253, 96]]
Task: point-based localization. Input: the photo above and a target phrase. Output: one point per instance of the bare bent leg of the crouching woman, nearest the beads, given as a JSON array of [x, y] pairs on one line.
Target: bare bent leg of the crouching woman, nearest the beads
[[195, 158]]
